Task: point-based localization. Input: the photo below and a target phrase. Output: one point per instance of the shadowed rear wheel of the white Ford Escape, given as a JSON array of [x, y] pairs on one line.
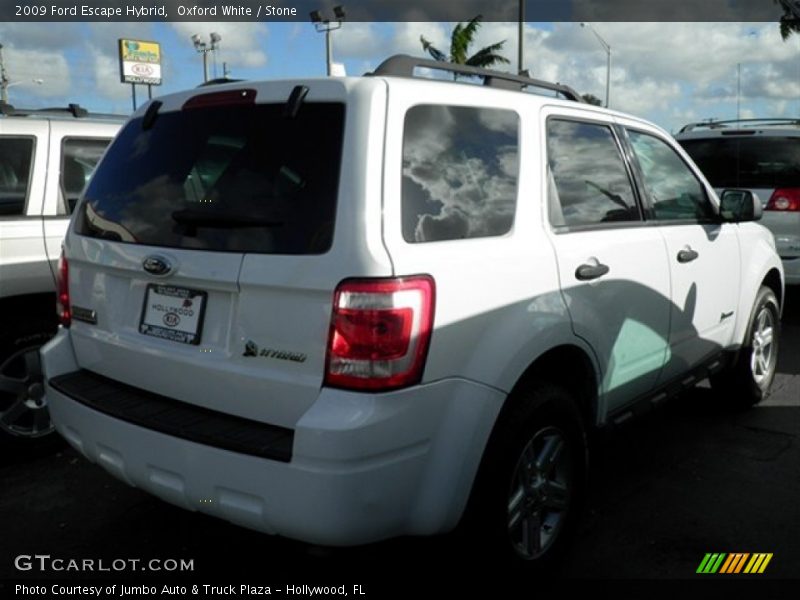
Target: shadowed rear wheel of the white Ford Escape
[[531, 524]]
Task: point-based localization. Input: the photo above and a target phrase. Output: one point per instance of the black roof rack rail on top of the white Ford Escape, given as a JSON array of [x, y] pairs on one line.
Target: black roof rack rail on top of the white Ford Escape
[[402, 65]]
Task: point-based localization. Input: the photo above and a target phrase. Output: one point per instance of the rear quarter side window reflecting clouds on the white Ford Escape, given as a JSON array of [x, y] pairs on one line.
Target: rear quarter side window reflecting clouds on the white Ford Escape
[[460, 168]]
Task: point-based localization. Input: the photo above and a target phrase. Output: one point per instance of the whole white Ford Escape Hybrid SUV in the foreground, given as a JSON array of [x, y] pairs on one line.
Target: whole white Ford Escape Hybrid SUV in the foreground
[[349, 309]]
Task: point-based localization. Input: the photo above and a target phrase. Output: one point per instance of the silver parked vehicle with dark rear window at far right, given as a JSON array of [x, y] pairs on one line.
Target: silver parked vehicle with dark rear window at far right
[[762, 155]]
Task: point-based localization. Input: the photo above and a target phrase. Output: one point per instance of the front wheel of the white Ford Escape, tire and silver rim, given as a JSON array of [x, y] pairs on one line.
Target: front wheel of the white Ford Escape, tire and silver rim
[[747, 380]]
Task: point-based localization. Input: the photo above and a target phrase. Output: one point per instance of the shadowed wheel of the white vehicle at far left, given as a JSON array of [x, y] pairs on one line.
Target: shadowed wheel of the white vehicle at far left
[[24, 419]]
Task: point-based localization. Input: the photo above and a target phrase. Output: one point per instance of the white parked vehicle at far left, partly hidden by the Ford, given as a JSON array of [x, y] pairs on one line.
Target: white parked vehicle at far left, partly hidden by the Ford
[[46, 158]]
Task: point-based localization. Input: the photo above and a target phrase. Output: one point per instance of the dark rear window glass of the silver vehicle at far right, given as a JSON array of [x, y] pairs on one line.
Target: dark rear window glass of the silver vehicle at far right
[[754, 162]]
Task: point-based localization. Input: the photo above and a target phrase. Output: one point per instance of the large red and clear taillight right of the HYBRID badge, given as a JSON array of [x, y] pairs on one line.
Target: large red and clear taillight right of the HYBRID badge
[[380, 330]]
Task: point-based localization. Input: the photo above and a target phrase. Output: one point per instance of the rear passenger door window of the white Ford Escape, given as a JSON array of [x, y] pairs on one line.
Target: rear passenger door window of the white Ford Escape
[[588, 181]]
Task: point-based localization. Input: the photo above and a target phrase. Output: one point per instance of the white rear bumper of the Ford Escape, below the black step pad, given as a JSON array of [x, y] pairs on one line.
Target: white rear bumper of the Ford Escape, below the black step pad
[[363, 467]]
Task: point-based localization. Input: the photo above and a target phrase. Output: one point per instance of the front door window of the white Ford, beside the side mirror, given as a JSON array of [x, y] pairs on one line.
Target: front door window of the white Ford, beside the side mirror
[[674, 190]]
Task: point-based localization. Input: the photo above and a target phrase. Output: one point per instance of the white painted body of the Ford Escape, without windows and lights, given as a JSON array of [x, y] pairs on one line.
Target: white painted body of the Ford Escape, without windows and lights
[[359, 466]]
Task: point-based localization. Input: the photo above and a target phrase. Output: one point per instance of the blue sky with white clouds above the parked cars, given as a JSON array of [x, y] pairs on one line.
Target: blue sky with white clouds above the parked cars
[[669, 73]]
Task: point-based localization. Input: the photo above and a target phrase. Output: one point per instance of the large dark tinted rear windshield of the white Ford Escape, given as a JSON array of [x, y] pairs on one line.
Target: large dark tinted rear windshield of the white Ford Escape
[[236, 179]]
